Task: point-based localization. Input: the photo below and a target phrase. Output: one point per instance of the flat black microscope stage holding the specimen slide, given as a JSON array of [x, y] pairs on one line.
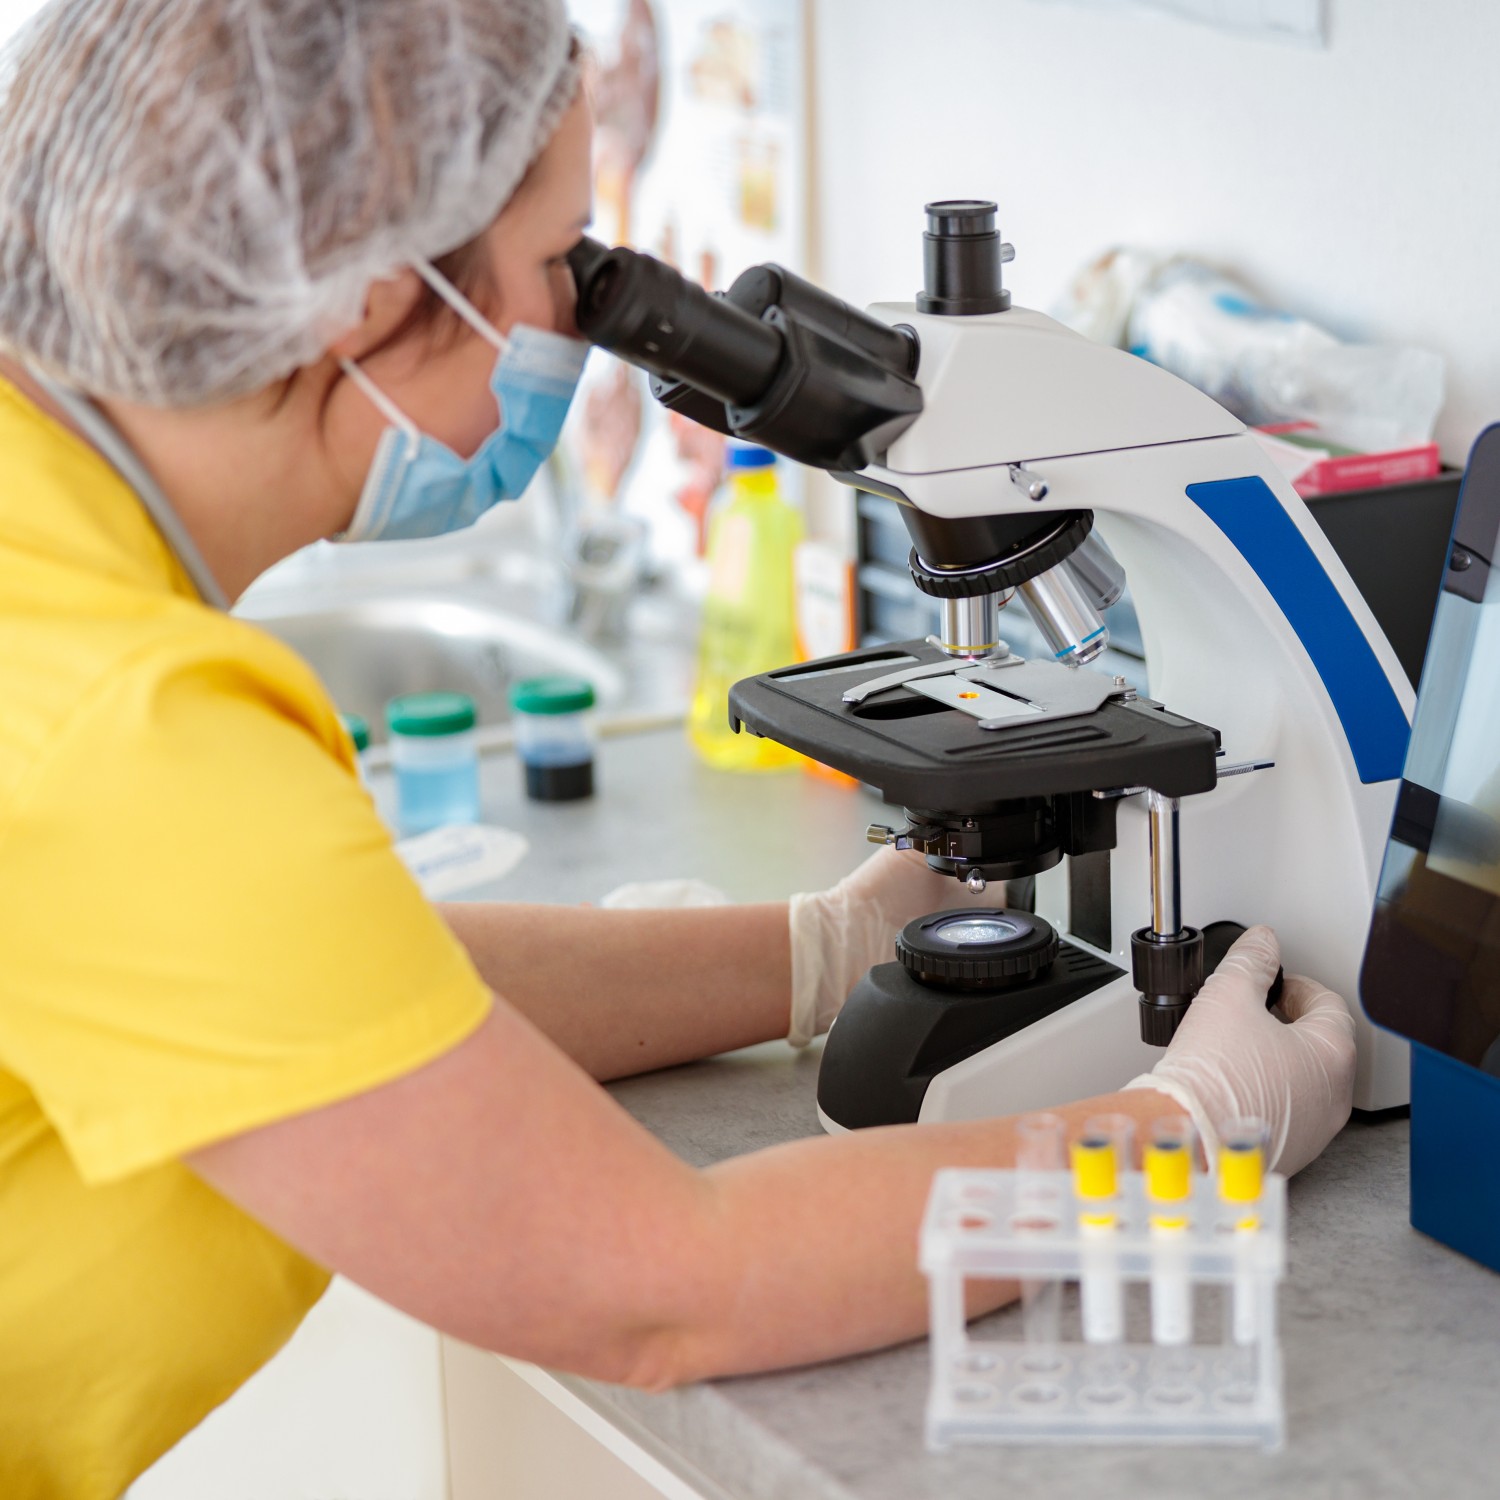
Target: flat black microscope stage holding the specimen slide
[[923, 752]]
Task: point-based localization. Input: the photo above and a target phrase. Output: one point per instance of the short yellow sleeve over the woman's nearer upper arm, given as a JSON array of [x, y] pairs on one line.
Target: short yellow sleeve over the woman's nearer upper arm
[[208, 928]]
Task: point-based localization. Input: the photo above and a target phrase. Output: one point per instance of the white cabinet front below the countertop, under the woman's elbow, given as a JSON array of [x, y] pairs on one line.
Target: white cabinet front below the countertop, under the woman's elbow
[[368, 1405]]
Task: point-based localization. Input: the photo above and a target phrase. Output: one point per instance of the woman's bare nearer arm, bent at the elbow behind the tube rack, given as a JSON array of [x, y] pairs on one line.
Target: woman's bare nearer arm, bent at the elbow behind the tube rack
[[503, 1198]]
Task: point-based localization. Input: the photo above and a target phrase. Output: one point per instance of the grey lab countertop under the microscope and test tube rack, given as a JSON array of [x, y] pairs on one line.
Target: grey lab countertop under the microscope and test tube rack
[[1391, 1342]]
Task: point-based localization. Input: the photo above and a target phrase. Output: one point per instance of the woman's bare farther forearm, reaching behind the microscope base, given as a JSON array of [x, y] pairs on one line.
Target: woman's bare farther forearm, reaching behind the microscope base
[[632, 991]]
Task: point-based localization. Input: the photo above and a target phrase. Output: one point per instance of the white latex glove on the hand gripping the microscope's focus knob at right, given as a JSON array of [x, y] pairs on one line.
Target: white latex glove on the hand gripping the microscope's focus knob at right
[[1232, 1058]]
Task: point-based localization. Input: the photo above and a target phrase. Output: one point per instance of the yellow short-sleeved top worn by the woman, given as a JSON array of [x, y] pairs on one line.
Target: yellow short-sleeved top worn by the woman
[[203, 929]]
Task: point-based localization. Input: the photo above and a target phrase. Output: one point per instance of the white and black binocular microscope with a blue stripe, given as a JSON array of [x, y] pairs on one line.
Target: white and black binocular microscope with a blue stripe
[[1136, 835]]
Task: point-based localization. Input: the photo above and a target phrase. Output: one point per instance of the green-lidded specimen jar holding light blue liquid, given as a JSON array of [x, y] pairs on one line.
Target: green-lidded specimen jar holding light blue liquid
[[436, 758]]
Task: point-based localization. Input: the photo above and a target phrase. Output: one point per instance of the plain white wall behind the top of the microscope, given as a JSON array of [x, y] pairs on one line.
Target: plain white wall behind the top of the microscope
[[1358, 185]]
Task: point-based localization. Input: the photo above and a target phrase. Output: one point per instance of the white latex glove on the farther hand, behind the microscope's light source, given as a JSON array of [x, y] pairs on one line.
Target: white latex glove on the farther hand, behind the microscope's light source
[[842, 932]]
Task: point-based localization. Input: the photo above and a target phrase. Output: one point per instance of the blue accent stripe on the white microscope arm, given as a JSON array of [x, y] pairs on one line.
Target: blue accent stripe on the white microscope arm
[[1256, 523]]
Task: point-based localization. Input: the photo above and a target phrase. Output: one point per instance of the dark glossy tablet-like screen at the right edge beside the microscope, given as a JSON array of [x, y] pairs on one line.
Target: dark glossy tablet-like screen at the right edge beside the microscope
[[1432, 965]]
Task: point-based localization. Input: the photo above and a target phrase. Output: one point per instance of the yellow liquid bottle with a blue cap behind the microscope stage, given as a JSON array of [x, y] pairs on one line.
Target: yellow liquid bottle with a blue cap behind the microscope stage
[[751, 610]]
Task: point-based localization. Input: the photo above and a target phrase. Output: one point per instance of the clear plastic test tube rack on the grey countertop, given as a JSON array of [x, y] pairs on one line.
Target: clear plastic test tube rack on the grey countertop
[[1025, 1226]]
